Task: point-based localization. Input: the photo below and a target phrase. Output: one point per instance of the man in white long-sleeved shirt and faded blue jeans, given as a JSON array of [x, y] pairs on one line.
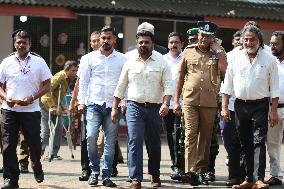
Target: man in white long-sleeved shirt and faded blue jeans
[[99, 76]]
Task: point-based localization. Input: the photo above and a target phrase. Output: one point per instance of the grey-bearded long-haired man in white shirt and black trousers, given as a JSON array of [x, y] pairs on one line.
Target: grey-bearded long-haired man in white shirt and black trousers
[[253, 78]]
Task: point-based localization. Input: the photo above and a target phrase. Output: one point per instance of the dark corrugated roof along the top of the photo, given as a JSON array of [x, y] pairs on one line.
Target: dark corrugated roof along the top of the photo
[[254, 9]]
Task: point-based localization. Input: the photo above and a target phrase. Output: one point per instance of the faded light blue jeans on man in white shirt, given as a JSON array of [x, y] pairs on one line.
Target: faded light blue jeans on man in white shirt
[[96, 116]]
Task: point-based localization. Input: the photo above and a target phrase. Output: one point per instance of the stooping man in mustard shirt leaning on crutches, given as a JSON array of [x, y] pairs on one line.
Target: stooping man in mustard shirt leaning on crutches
[[59, 86]]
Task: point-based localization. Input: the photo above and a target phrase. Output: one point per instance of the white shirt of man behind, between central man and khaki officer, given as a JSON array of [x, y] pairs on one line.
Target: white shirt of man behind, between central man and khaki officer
[[174, 65]]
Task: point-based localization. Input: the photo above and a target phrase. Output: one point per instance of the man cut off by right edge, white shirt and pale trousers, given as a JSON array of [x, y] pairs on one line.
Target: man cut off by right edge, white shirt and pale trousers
[[275, 134]]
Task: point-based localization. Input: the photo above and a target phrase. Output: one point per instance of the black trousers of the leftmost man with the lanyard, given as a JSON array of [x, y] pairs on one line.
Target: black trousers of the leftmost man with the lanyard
[[10, 127]]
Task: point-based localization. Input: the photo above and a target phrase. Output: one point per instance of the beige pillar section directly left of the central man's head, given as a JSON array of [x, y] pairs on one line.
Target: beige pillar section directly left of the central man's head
[[129, 32]]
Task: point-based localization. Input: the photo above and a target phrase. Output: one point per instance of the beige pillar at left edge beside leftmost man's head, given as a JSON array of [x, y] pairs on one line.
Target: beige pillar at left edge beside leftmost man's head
[[6, 45]]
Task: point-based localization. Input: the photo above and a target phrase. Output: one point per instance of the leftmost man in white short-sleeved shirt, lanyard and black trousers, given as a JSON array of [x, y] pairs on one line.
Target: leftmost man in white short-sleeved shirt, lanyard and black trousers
[[24, 78]]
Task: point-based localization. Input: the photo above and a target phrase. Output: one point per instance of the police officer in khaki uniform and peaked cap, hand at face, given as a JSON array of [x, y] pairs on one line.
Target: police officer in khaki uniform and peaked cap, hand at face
[[199, 77]]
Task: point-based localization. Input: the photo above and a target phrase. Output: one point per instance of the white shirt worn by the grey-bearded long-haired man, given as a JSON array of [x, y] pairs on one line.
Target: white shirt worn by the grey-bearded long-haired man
[[251, 81]]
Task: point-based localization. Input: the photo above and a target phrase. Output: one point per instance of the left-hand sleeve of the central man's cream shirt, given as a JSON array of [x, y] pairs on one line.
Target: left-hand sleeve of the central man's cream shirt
[[122, 83]]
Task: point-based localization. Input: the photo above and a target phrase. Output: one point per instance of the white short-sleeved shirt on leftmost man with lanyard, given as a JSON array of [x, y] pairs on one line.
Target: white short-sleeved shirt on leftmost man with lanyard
[[25, 83]]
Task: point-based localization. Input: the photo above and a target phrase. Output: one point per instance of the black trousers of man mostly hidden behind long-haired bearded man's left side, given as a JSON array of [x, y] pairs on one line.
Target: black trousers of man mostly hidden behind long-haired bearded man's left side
[[233, 148]]
